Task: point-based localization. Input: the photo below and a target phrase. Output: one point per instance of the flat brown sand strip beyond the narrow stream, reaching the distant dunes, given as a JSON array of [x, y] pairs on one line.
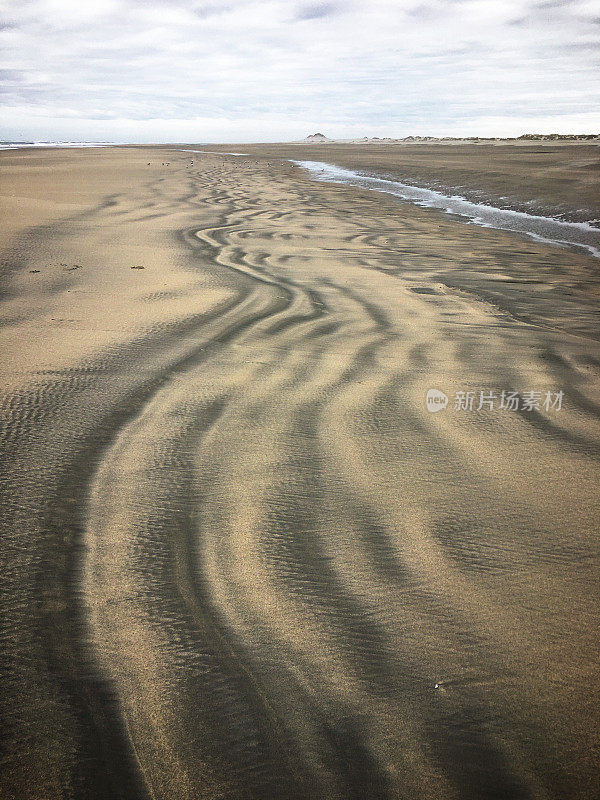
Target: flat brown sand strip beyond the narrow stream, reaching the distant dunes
[[550, 178]]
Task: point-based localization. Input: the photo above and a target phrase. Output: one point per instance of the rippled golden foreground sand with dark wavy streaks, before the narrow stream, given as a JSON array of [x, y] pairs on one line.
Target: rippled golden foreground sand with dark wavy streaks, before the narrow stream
[[240, 557]]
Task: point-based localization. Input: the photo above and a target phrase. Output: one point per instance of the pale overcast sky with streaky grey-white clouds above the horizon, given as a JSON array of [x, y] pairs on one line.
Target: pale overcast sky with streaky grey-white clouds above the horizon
[[269, 70]]
